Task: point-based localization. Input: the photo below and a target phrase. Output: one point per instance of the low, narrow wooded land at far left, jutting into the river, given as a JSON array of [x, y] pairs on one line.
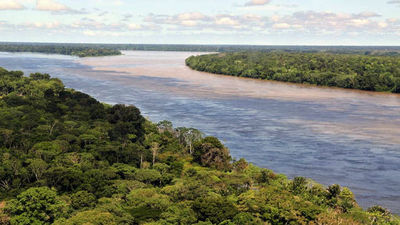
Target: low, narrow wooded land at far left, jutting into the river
[[74, 50]]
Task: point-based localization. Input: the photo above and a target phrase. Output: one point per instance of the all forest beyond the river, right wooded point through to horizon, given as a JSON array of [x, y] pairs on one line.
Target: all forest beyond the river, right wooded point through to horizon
[[370, 68]]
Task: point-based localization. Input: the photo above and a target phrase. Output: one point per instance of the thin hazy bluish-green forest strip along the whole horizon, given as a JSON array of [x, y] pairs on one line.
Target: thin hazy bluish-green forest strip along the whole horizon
[[361, 50]]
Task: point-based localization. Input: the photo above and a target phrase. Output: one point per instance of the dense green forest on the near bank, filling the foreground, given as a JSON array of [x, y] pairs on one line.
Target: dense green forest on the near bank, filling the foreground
[[66, 158]]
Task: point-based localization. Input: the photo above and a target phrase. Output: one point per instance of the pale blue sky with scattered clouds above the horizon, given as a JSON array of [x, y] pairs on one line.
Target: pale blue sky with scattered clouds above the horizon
[[252, 22]]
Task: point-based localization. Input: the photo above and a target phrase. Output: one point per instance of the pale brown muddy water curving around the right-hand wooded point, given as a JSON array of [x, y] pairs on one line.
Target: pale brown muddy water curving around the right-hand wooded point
[[172, 65]]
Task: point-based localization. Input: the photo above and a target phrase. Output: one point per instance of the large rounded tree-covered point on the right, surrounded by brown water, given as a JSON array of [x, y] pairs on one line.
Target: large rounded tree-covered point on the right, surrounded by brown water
[[364, 72]]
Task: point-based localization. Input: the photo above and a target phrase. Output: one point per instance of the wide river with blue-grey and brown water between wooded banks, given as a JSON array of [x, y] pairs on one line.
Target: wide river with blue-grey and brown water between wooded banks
[[330, 135]]
